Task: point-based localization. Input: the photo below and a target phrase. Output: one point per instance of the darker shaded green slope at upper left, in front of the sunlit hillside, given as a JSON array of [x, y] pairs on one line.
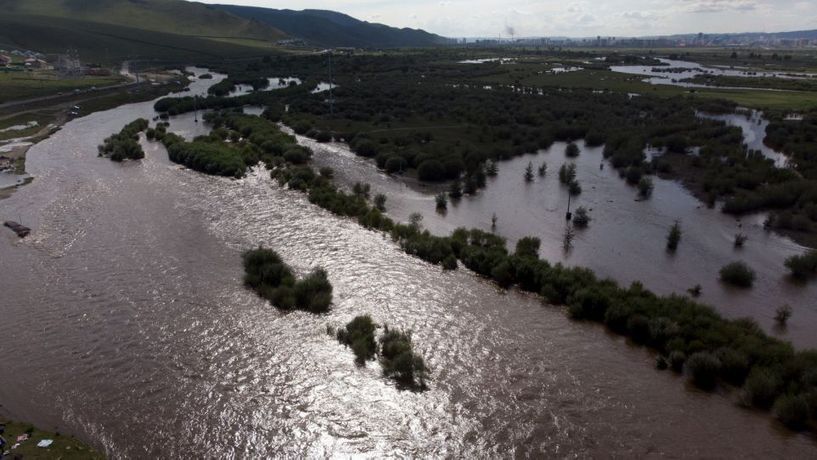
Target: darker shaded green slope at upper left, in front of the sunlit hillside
[[105, 43]]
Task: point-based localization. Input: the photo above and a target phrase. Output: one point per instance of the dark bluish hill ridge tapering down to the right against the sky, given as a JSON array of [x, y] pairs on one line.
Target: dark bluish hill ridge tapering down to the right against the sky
[[329, 28]]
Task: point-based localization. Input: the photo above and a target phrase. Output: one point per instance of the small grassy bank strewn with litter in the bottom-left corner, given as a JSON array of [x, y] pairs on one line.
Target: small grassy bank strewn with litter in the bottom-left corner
[[62, 447]]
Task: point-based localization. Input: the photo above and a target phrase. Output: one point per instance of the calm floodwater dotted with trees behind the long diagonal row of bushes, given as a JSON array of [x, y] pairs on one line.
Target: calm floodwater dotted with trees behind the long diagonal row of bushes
[[626, 238]]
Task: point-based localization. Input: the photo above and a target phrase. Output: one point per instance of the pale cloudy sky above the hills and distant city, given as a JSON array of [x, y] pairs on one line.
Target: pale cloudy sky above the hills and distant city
[[527, 18]]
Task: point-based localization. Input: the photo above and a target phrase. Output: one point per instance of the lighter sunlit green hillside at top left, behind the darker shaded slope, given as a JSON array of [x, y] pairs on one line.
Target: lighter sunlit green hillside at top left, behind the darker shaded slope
[[169, 16]]
